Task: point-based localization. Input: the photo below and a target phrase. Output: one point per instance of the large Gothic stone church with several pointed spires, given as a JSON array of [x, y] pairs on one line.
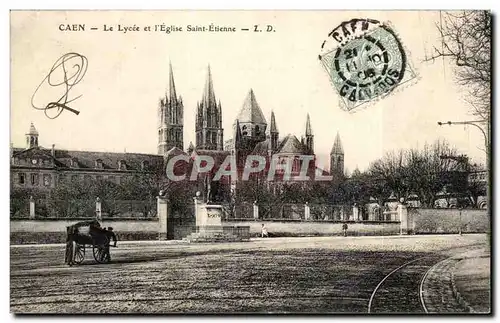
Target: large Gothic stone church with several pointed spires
[[252, 135]]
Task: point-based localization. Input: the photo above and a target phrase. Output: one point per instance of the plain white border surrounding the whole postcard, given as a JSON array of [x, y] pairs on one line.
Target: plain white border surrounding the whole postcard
[[191, 4]]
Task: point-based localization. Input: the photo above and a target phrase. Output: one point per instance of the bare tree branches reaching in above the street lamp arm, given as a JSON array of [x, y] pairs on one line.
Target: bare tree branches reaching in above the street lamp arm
[[466, 39]]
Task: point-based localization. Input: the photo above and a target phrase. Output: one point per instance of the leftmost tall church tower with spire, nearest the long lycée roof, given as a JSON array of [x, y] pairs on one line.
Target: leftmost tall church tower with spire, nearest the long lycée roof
[[171, 123]]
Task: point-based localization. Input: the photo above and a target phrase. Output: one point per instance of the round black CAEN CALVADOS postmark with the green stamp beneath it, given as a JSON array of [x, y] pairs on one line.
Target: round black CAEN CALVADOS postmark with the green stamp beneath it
[[364, 59]]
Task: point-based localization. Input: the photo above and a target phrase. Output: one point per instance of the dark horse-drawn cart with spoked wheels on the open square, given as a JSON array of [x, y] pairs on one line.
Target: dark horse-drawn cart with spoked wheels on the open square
[[84, 236]]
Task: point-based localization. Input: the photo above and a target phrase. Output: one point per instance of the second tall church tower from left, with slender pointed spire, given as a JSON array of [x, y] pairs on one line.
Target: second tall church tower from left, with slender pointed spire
[[209, 131]]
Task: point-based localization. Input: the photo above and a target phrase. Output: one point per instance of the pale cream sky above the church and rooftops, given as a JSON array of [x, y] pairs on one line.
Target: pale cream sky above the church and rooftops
[[128, 73]]
